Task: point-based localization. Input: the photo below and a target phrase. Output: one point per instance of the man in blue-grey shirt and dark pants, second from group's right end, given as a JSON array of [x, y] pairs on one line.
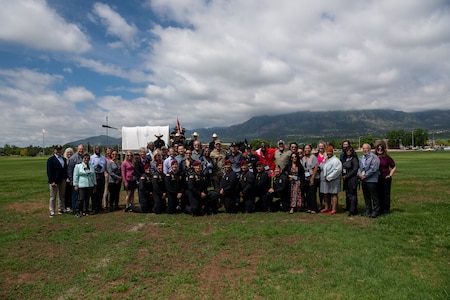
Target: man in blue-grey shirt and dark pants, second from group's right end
[[368, 174]]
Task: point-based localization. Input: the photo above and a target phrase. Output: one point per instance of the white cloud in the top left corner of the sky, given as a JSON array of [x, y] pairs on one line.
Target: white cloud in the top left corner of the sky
[[34, 24]]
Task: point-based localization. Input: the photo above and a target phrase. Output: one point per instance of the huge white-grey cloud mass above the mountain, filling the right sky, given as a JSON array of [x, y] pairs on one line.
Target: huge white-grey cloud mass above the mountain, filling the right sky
[[247, 57]]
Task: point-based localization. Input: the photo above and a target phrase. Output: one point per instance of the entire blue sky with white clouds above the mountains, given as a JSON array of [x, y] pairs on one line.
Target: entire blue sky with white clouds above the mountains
[[67, 65]]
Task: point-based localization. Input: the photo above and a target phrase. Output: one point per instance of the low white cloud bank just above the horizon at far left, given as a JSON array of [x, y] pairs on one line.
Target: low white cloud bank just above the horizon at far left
[[29, 103]]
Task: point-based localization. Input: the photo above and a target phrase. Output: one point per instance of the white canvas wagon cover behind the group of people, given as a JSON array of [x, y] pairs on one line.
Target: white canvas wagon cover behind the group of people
[[135, 137]]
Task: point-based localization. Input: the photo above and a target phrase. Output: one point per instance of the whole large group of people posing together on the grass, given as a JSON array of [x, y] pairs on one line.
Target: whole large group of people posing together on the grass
[[188, 177]]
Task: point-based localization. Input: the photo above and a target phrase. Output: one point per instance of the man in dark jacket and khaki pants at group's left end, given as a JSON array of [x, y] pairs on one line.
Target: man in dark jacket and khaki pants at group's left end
[[57, 175]]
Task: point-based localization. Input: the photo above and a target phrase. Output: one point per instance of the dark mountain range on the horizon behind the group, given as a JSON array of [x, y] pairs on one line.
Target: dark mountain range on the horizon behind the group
[[307, 126]]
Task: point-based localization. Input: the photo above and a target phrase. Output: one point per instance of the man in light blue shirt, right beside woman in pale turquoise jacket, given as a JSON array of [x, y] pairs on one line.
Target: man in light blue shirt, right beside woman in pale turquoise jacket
[[99, 163]]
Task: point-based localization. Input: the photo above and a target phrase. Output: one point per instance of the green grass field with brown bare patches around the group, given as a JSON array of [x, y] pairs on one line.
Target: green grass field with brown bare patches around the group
[[405, 255]]
